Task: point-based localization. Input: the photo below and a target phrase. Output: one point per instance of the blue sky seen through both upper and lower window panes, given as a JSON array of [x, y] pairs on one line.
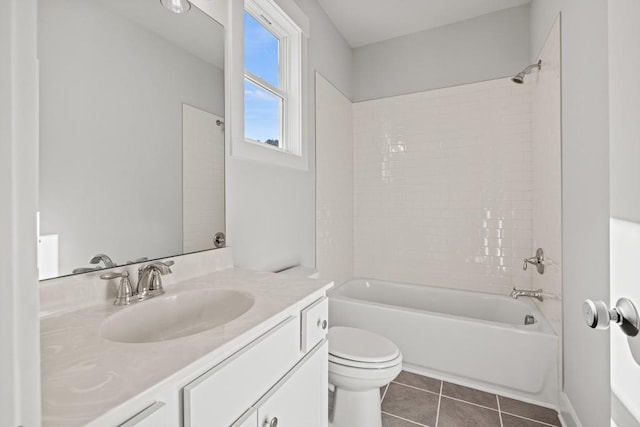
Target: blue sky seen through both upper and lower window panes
[[261, 108]]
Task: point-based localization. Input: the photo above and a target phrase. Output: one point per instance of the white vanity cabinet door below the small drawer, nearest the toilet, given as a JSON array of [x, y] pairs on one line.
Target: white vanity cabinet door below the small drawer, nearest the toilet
[[300, 398]]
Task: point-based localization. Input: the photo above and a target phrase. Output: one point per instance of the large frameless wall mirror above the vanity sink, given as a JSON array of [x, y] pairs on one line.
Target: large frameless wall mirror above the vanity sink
[[131, 133]]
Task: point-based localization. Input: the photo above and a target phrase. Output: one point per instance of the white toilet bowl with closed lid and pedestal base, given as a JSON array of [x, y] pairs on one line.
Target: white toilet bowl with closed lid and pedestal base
[[360, 362]]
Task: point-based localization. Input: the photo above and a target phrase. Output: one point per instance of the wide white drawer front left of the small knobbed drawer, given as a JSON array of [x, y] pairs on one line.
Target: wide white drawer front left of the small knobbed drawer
[[219, 396]]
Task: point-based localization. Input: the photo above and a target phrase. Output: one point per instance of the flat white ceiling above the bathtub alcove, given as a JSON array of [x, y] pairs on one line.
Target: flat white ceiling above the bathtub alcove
[[363, 22]]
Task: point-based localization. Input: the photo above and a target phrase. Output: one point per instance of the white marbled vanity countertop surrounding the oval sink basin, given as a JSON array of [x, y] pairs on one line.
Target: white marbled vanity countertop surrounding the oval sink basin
[[85, 376]]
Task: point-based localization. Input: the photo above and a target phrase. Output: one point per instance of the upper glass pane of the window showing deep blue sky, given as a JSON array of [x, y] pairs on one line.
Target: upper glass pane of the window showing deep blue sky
[[261, 51]]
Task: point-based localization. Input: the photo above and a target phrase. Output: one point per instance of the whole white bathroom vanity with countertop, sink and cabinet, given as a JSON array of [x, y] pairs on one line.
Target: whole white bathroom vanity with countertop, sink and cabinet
[[261, 365]]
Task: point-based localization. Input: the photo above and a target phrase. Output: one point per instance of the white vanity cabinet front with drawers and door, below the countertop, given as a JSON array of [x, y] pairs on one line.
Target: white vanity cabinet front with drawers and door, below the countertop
[[278, 375]]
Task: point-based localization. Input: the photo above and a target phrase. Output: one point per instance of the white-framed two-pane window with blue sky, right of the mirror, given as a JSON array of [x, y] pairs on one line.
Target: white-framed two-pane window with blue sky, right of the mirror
[[272, 78]]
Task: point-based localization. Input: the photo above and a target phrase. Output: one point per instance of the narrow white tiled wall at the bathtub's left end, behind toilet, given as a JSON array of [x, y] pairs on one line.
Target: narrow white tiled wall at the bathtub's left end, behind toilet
[[334, 183]]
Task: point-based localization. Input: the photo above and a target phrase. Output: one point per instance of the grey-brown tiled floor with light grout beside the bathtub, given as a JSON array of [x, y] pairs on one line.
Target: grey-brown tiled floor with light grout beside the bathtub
[[413, 400]]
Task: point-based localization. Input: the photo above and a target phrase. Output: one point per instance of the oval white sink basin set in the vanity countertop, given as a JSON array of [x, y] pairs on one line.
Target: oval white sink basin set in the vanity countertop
[[175, 316]]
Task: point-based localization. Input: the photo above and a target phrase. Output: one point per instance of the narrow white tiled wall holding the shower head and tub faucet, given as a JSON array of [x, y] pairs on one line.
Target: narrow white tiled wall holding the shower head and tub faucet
[[546, 143]]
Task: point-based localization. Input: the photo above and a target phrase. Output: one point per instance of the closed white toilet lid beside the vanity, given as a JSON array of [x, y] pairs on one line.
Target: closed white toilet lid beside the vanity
[[360, 345]]
